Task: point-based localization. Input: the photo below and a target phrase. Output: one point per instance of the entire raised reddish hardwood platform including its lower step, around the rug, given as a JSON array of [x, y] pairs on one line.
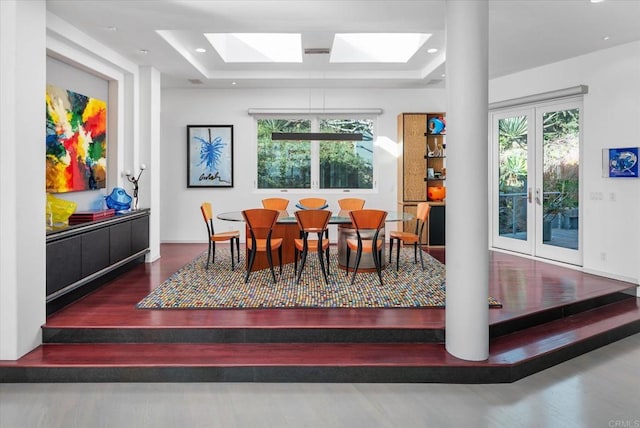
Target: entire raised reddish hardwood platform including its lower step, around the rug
[[550, 314]]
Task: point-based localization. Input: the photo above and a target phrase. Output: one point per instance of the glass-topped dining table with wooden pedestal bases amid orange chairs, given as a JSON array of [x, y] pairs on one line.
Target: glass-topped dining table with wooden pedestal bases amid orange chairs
[[287, 228]]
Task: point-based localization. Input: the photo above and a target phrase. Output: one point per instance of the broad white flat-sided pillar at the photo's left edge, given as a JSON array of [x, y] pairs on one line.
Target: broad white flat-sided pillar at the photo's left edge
[[22, 178]]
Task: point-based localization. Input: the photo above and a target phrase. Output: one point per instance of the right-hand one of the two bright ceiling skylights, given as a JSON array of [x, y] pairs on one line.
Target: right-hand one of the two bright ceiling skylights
[[376, 47]]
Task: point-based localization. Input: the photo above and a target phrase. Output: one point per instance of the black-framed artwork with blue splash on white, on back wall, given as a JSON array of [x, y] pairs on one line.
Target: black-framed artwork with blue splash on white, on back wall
[[209, 155]]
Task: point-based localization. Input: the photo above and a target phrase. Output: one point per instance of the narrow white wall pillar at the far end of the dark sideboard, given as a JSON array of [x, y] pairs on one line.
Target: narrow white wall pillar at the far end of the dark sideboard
[[150, 154]]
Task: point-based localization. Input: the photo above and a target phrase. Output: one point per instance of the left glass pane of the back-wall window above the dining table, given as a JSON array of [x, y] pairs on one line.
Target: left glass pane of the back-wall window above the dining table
[[283, 164]]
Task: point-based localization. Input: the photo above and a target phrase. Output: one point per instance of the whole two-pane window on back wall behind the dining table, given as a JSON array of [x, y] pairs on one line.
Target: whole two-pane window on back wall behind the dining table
[[315, 164]]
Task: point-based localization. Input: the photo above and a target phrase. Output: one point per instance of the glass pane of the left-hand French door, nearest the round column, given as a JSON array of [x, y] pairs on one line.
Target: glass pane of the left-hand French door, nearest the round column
[[512, 213]]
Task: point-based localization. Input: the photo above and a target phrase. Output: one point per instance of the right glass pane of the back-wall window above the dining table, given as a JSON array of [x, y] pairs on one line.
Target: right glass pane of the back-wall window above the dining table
[[347, 164]]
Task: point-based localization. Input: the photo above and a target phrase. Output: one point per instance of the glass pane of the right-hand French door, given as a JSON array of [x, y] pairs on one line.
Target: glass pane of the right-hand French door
[[560, 179]]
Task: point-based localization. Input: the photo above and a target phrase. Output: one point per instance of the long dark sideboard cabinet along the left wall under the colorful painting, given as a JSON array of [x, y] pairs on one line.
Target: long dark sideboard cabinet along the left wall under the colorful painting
[[79, 256]]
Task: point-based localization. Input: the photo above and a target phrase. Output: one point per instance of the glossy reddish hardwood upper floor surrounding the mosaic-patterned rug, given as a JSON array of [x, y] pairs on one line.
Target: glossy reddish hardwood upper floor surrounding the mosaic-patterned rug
[[523, 286]]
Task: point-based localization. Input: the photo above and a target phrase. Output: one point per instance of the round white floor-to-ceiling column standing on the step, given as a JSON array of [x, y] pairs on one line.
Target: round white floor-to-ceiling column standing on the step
[[467, 255]]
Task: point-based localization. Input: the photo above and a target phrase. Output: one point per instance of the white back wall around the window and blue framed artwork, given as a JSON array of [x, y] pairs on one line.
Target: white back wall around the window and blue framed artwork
[[181, 219]]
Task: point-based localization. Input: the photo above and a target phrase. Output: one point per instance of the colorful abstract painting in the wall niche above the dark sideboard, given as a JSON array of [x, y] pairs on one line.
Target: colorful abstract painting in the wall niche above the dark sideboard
[[76, 141]]
